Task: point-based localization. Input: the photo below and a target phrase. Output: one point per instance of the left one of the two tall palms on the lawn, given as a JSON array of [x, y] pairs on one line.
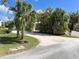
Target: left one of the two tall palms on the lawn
[[16, 9]]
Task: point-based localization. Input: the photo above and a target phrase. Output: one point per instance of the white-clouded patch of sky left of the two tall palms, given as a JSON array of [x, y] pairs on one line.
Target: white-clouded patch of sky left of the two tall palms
[[5, 13]]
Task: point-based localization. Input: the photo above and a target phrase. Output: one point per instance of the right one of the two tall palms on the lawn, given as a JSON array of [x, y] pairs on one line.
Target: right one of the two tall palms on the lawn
[[25, 9]]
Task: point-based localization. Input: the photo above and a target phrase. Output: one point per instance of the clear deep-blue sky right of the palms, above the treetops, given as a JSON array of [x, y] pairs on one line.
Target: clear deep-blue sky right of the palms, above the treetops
[[67, 5]]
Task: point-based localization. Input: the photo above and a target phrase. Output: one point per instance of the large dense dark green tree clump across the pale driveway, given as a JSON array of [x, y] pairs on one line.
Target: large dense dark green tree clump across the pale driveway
[[53, 22]]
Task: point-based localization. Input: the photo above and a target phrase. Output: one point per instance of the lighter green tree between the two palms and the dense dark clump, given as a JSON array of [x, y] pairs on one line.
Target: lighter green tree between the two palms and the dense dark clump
[[30, 23]]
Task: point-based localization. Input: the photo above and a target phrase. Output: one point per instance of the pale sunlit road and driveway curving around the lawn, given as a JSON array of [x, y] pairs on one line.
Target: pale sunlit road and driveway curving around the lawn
[[50, 47]]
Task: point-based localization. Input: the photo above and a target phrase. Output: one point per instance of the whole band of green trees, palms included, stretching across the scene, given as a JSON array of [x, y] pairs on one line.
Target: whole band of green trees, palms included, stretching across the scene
[[48, 21]]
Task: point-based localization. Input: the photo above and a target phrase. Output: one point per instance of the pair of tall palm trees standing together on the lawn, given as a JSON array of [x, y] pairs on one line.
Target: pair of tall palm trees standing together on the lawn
[[21, 10]]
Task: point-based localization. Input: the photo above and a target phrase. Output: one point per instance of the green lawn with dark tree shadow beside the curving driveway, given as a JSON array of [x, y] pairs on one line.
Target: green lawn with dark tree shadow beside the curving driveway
[[8, 41]]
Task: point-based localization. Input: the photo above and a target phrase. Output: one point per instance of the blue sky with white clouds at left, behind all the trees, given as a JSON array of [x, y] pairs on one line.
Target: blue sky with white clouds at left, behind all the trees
[[67, 5]]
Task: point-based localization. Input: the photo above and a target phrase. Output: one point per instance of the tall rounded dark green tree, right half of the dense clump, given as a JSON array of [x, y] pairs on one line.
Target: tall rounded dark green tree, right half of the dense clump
[[59, 23]]
